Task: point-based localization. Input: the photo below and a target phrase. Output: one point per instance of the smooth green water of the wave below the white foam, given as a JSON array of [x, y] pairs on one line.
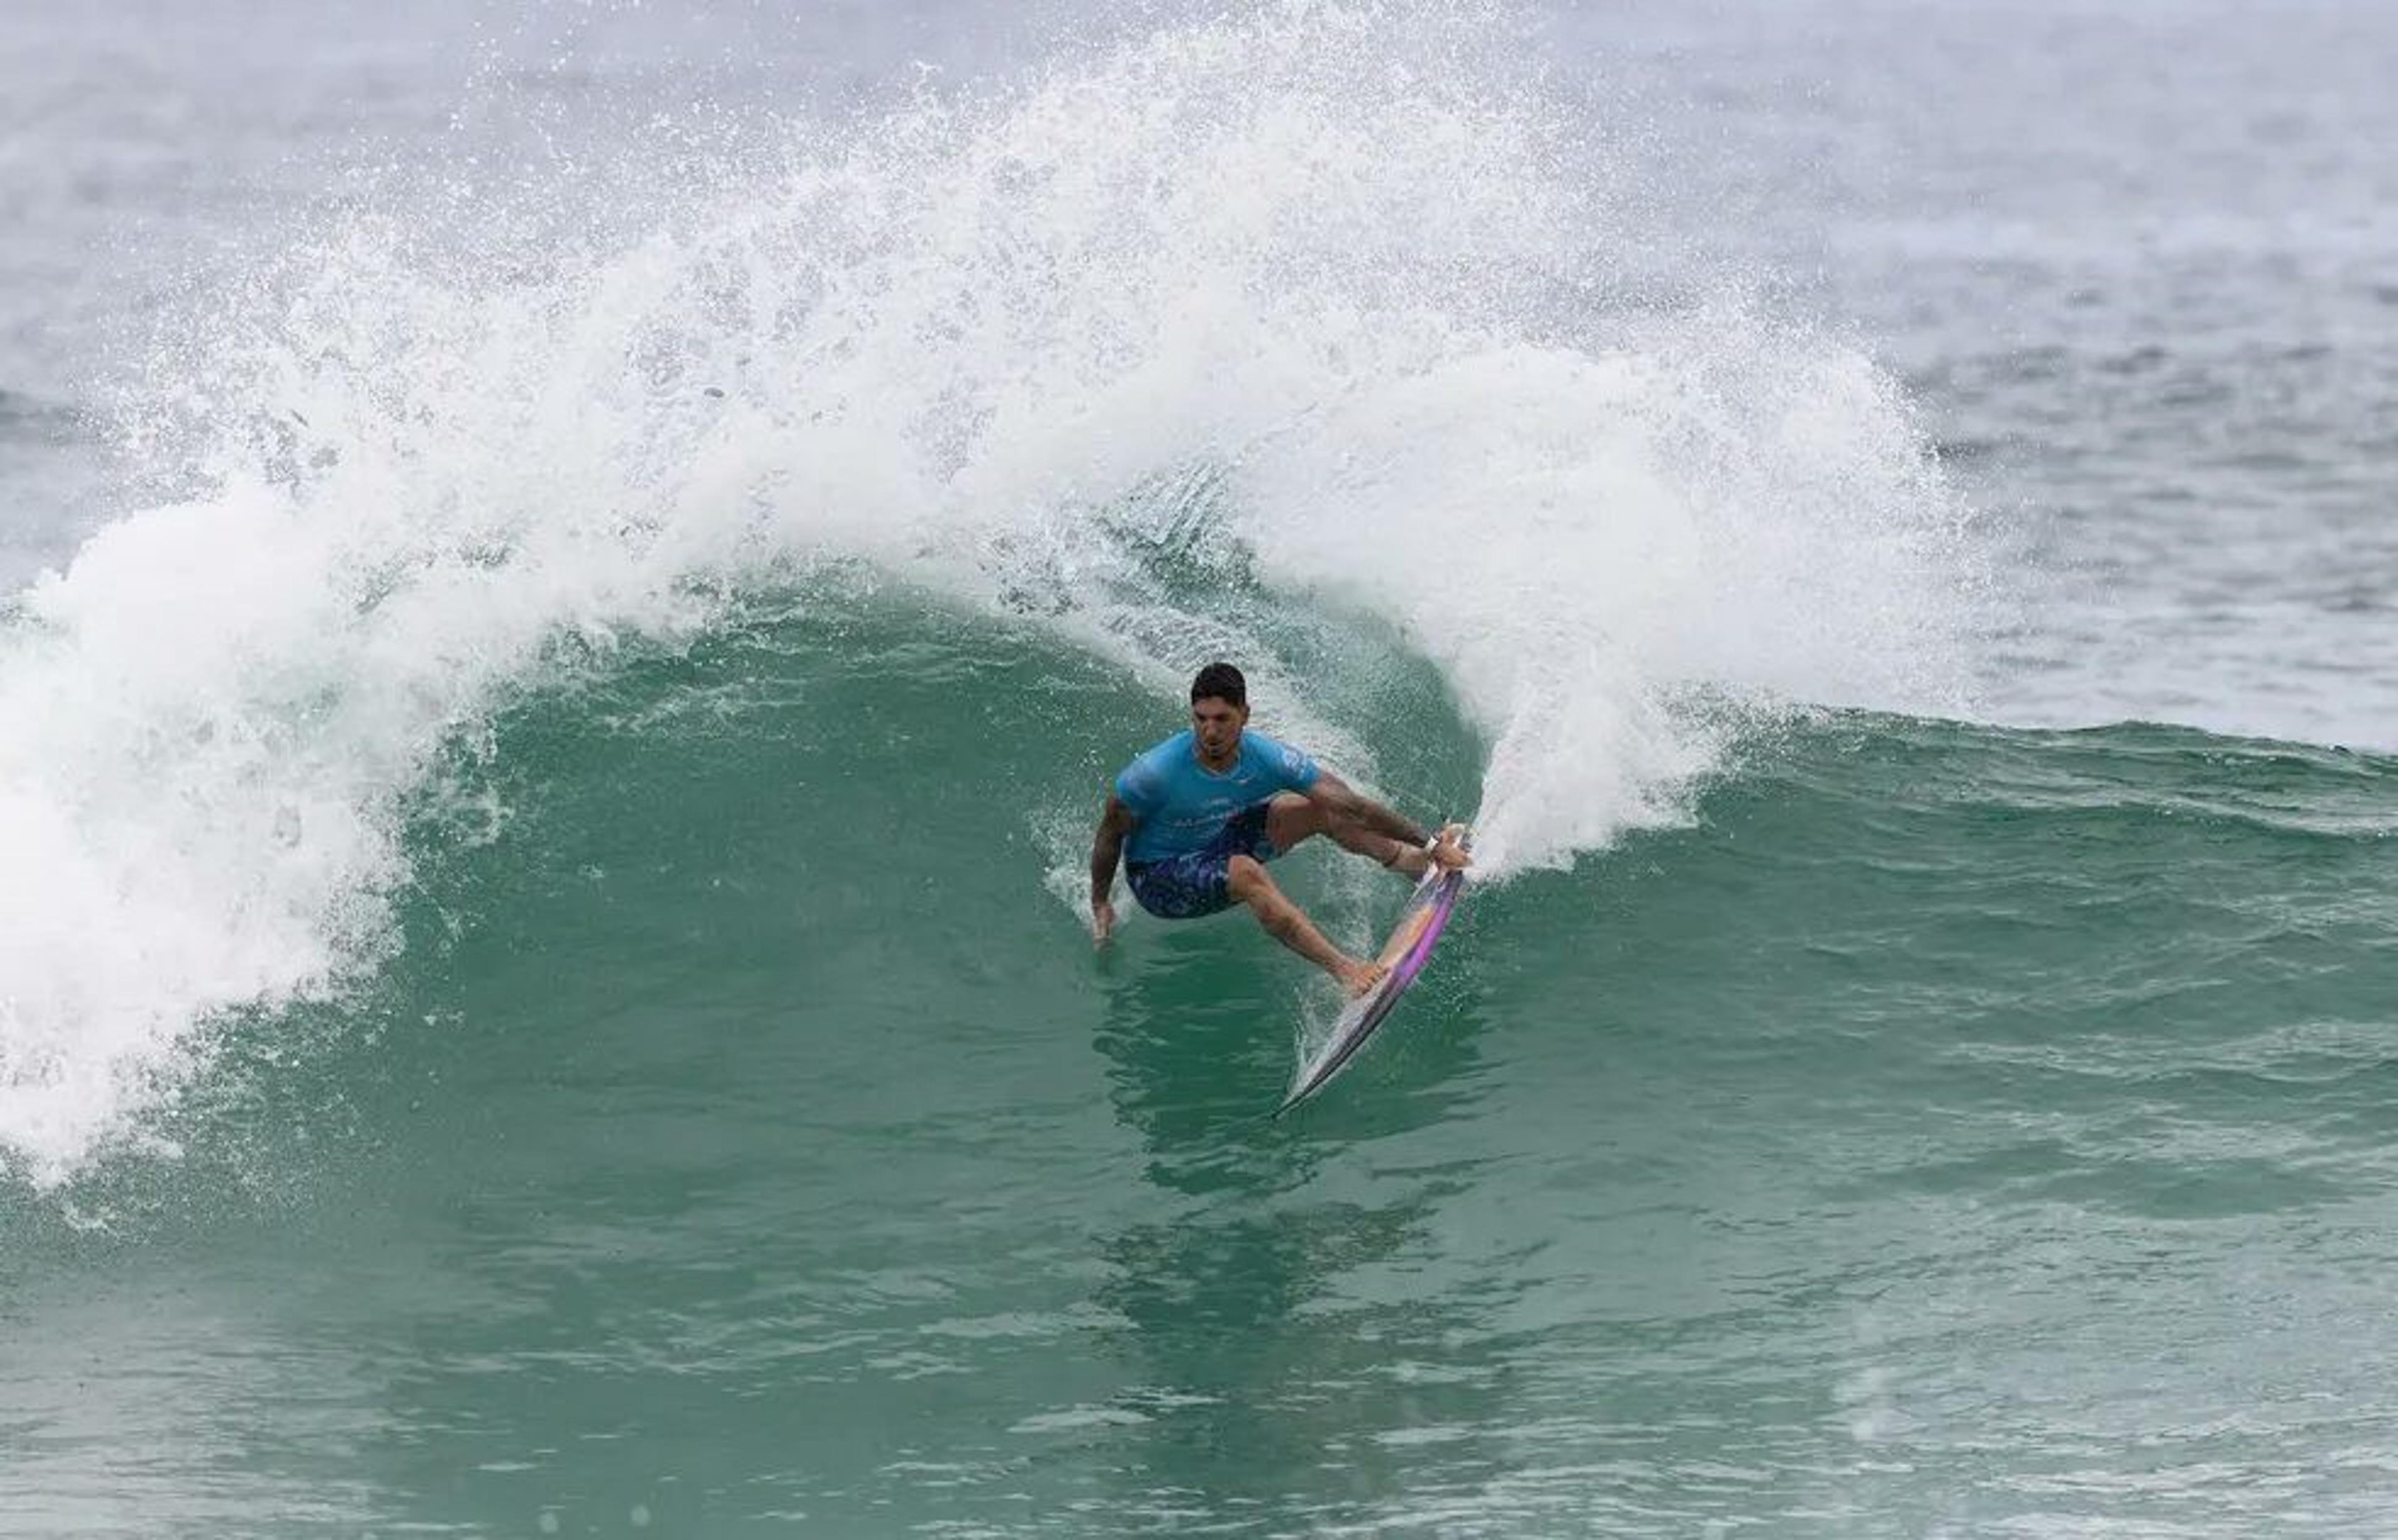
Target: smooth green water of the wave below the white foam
[[1936, 1131]]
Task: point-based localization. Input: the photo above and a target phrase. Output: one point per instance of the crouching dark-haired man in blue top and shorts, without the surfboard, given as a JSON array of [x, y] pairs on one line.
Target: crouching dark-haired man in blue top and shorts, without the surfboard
[[1212, 805]]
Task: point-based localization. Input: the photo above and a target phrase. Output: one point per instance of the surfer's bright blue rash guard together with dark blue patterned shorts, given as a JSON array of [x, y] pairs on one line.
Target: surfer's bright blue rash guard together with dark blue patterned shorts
[[1193, 822]]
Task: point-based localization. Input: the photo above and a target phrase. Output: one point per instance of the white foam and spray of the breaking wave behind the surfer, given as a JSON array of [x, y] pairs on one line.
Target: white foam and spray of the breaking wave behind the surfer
[[1224, 342]]
